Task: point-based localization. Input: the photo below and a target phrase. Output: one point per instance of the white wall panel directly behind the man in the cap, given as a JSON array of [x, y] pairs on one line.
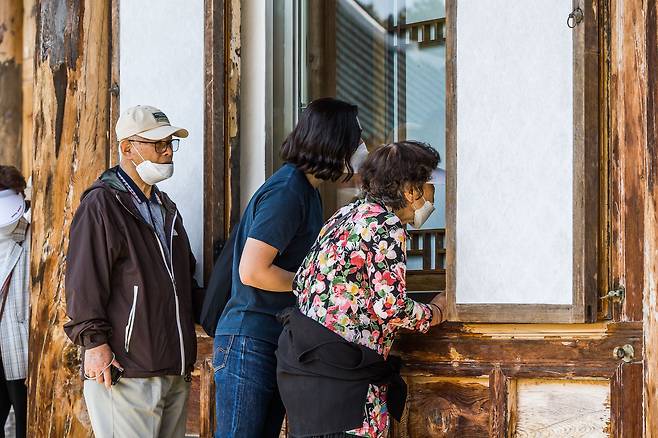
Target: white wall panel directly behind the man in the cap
[[161, 57]]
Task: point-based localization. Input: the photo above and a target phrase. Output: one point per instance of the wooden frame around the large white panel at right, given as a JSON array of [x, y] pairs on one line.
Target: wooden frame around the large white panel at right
[[585, 190]]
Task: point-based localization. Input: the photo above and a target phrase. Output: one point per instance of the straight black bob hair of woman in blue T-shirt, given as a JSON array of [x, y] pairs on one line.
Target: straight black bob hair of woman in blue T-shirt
[[324, 139]]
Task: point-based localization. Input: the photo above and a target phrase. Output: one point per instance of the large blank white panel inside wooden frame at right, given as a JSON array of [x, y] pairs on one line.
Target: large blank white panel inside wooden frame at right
[[514, 152]]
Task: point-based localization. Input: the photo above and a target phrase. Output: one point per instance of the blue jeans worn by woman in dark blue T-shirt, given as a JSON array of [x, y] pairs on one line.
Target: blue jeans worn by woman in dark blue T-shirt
[[247, 400]]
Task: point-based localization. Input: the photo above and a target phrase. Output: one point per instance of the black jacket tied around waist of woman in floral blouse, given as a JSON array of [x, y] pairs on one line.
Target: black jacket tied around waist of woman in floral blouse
[[323, 378]]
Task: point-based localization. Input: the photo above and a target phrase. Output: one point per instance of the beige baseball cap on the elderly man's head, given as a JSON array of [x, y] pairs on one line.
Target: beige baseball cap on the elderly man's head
[[148, 122]]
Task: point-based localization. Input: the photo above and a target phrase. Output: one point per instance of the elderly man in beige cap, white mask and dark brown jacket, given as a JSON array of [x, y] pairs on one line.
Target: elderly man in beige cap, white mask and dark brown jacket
[[130, 291]]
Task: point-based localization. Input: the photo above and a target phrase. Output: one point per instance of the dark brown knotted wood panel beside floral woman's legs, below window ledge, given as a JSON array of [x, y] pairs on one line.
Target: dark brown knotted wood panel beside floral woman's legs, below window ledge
[[446, 408]]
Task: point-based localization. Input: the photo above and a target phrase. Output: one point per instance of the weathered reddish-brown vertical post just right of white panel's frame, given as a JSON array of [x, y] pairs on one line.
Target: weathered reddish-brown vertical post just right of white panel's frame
[[627, 83]]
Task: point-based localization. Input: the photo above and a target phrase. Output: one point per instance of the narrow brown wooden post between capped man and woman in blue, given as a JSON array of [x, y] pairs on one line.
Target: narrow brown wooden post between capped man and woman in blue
[[221, 136]]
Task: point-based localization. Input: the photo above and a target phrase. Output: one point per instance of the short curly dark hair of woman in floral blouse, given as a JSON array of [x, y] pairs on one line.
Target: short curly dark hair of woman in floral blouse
[[390, 169]]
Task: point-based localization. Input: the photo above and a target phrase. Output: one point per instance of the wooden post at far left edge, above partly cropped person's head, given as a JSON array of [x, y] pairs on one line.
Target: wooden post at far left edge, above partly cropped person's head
[[11, 24]]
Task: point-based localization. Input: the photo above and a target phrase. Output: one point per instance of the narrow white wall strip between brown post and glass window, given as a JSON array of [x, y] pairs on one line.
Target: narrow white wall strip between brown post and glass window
[[253, 99]]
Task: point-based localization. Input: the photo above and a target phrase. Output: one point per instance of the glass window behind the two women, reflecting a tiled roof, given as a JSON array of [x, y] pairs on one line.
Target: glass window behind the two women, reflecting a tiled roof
[[387, 57]]
